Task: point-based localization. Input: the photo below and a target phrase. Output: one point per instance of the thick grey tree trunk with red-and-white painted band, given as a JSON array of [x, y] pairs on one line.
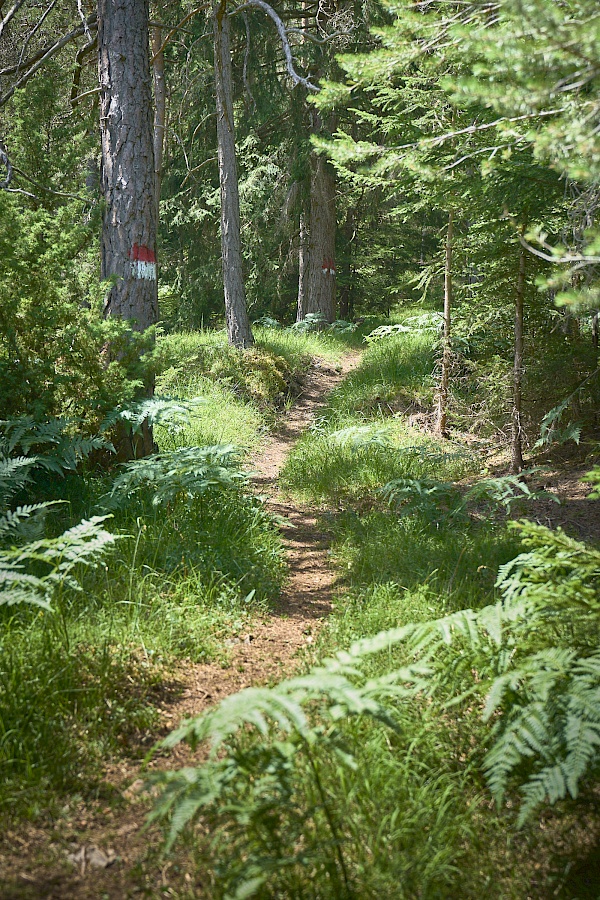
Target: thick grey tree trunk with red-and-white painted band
[[127, 177]]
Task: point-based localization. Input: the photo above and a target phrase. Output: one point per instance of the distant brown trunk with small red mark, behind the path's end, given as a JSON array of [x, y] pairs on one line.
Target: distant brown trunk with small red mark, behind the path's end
[[321, 273]]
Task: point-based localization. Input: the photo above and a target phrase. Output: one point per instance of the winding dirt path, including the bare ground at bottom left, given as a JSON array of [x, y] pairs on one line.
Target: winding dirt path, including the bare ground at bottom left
[[98, 852]]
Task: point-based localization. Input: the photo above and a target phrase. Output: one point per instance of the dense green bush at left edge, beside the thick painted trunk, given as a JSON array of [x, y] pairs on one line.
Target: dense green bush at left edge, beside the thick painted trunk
[[53, 337]]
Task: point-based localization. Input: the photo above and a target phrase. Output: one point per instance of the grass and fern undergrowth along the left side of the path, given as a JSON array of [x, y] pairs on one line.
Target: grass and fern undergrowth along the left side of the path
[[195, 558]]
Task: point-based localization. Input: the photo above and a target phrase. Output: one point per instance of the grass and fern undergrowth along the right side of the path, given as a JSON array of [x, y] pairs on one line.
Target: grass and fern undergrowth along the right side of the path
[[370, 776]]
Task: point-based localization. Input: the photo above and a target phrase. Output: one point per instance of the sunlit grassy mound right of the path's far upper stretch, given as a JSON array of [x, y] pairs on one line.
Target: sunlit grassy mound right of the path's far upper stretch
[[362, 439]]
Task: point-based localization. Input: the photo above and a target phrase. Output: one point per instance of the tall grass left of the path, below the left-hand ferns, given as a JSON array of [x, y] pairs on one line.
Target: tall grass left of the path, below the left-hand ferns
[[76, 684]]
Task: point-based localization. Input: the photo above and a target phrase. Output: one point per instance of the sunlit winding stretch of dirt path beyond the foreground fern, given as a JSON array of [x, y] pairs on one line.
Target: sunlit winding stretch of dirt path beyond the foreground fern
[[271, 649]]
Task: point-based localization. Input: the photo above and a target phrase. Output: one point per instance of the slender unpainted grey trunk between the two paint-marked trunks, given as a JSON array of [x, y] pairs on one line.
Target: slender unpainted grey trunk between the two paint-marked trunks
[[236, 313]]
